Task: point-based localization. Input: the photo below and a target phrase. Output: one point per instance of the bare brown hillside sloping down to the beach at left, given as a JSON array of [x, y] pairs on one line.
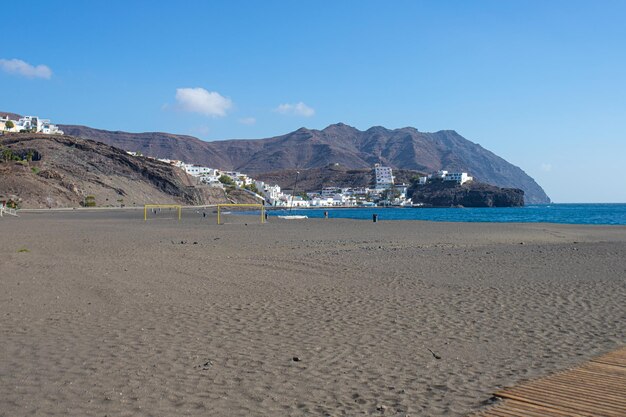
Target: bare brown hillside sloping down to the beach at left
[[64, 170]]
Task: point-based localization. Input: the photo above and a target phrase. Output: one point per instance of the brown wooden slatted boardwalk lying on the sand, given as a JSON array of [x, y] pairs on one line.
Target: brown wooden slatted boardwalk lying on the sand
[[597, 388]]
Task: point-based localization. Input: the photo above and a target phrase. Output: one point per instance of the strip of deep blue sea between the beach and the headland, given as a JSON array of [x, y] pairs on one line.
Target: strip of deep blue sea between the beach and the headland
[[599, 214]]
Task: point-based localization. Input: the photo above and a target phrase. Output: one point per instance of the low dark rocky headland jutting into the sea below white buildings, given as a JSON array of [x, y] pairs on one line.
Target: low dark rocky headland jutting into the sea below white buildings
[[470, 194]]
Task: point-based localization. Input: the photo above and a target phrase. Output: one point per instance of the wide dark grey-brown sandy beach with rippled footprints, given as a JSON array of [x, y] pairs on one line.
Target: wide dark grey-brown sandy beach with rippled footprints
[[105, 314]]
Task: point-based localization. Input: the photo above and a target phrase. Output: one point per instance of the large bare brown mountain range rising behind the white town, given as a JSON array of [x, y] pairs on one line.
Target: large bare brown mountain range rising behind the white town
[[405, 148]]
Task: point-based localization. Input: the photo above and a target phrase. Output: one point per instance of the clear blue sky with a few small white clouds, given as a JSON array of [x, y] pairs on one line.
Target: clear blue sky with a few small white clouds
[[540, 83]]
